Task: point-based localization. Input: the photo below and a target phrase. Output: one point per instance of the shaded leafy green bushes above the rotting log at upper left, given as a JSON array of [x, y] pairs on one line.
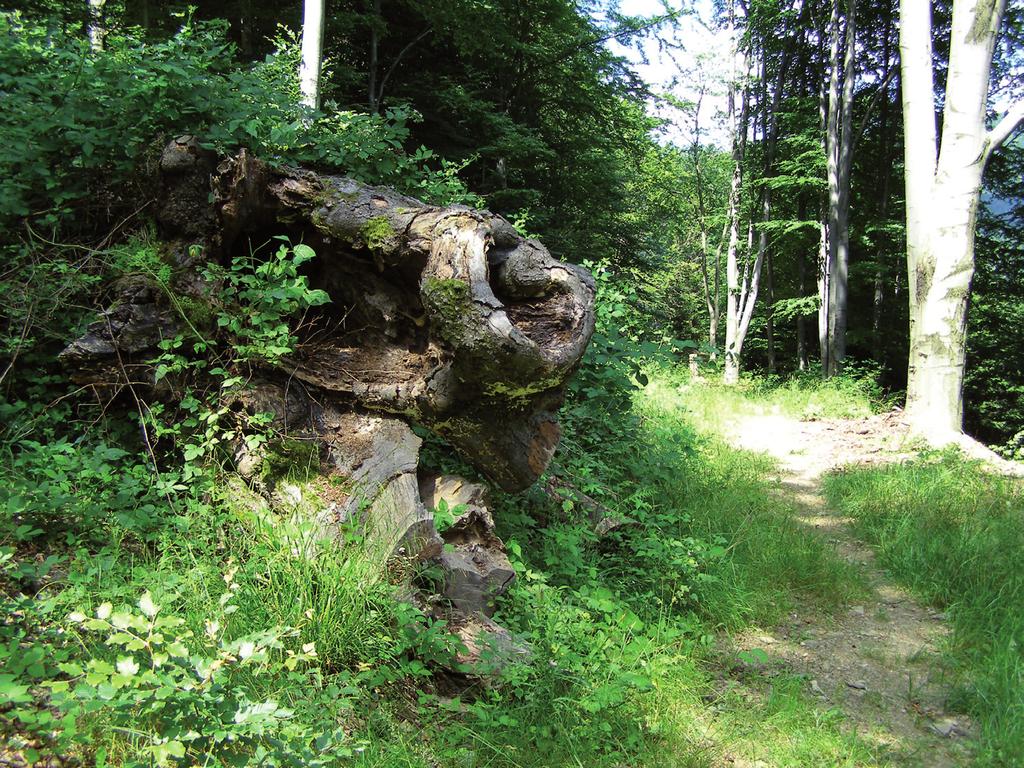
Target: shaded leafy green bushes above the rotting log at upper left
[[90, 126]]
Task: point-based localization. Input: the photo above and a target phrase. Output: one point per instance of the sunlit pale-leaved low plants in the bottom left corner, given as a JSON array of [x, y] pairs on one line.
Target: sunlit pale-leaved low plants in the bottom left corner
[[186, 698]]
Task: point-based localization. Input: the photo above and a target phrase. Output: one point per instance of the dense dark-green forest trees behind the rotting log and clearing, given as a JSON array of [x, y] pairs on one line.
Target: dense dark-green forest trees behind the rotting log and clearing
[[526, 107]]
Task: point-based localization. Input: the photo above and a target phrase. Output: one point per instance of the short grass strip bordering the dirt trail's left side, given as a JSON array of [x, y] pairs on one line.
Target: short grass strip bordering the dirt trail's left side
[[724, 491]]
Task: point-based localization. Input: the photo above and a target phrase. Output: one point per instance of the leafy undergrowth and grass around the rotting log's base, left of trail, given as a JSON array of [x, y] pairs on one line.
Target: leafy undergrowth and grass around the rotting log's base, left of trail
[[158, 618]]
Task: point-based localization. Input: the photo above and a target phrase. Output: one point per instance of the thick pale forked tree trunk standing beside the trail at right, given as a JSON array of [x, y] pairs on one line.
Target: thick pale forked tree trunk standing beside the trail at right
[[943, 194]]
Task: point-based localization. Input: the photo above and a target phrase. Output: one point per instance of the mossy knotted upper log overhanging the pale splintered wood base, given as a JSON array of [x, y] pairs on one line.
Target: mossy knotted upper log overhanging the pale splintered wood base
[[452, 320]]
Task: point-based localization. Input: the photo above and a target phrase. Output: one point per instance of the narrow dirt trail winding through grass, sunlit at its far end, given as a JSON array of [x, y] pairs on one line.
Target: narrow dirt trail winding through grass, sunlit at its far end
[[880, 661]]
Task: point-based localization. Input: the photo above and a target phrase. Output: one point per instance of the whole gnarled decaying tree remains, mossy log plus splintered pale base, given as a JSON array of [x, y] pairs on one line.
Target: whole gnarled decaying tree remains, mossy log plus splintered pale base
[[442, 318]]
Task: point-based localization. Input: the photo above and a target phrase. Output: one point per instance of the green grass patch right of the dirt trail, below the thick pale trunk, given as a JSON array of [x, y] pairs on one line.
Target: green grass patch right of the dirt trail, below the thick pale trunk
[[955, 535]]
